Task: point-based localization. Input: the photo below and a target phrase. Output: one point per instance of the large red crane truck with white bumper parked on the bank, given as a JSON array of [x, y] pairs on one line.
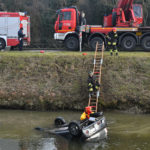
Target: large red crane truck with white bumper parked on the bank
[[126, 18]]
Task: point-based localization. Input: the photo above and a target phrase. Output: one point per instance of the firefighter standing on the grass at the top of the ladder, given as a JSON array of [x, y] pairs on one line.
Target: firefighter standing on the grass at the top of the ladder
[[112, 37]]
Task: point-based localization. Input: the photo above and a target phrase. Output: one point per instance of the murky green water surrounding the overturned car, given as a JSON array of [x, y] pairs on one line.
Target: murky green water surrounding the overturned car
[[125, 132]]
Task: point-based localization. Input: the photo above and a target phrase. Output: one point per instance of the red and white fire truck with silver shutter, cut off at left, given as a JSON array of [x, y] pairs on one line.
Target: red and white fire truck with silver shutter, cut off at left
[[10, 23]]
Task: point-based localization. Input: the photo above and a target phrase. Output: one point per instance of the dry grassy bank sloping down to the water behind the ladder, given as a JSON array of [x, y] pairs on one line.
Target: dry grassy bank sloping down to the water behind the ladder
[[58, 80]]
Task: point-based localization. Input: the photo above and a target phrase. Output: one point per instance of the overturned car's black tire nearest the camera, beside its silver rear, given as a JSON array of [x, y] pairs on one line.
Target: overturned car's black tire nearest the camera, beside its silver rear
[[74, 129]]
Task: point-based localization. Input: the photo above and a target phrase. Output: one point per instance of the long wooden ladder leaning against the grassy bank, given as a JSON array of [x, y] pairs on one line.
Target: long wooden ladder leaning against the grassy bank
[[97, 72]]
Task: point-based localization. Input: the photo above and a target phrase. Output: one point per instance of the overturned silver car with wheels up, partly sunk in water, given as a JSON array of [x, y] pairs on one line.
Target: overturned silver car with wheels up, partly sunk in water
[[81, 129]]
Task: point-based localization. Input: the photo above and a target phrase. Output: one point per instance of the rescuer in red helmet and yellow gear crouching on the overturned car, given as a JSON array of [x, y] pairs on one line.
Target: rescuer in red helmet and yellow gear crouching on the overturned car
[[86, 114]]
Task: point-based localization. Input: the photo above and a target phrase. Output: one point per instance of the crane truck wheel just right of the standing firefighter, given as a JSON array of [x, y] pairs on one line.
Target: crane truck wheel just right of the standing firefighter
[[128, 43]]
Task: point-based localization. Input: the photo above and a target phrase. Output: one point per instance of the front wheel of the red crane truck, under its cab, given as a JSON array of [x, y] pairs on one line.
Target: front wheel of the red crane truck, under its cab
[[72, 43]]
